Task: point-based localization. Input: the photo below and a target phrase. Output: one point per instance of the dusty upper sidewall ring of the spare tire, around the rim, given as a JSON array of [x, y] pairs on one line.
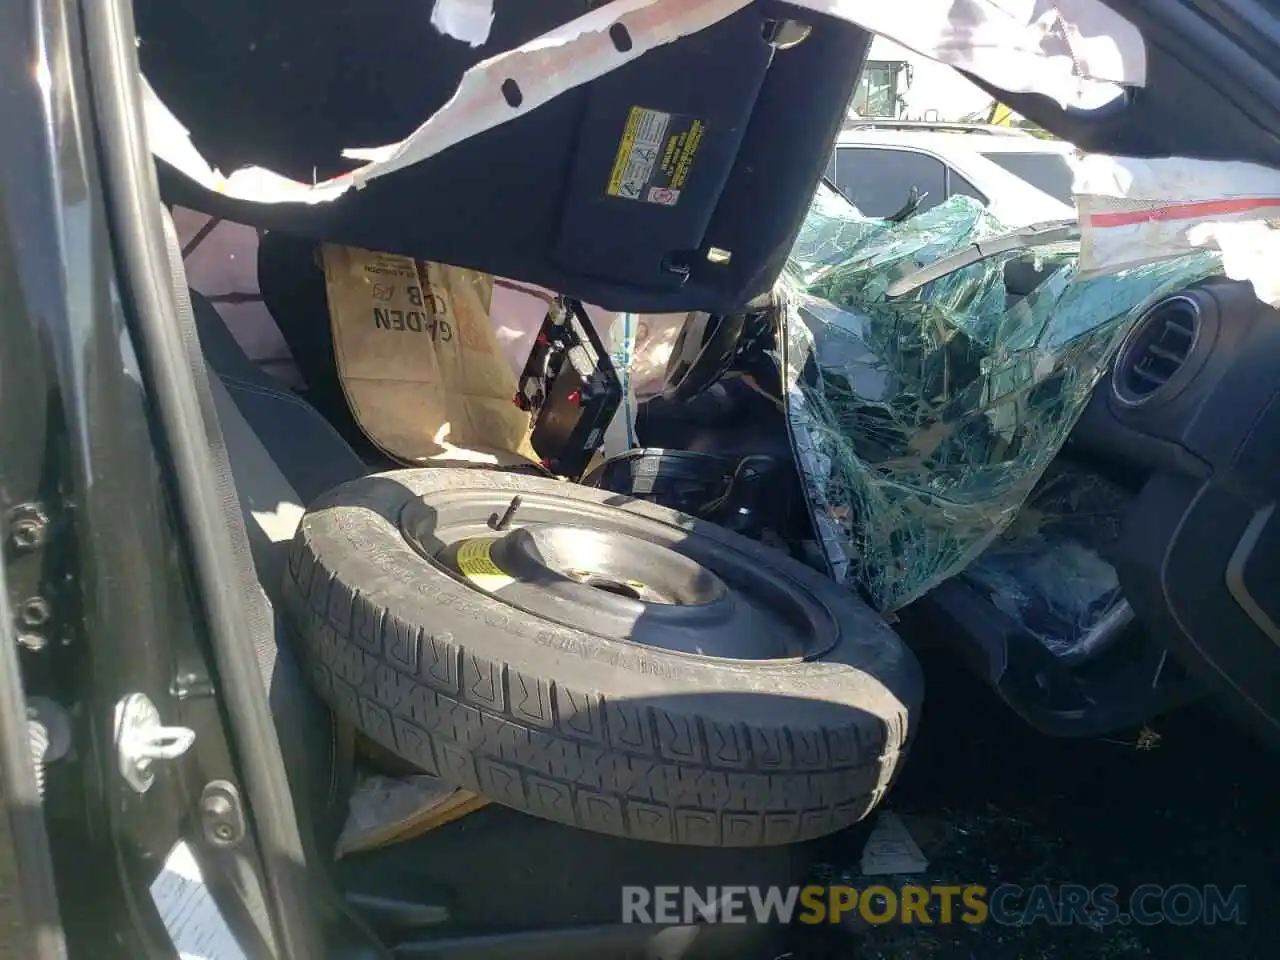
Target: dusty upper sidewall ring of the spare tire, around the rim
[[354, 536]]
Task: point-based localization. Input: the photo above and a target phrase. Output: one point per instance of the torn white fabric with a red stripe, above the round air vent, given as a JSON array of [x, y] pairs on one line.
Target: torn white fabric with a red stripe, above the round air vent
[[1137, 212]]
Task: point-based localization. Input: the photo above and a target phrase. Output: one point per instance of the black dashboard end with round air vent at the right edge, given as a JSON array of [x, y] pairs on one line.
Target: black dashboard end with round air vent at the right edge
[[1191, 412]]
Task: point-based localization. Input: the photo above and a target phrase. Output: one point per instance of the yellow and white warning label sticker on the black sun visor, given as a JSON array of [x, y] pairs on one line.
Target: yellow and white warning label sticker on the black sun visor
[[656, 156]]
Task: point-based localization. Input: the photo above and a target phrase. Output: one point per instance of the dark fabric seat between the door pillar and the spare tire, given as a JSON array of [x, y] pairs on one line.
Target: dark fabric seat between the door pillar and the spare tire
[[284, 455]]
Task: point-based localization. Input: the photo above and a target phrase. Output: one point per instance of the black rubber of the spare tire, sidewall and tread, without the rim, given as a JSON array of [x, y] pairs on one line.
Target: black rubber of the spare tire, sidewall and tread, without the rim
[[487, 696]]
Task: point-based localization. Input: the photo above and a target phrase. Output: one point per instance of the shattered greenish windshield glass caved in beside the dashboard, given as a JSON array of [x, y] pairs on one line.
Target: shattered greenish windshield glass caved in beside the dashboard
[[922, 423]]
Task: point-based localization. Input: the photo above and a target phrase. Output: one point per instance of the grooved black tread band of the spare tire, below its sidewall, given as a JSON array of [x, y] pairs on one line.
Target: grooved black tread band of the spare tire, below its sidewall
[[638, 771]]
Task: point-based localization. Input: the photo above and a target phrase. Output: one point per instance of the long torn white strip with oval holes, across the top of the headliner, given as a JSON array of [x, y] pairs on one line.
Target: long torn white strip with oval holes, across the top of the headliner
[[1054, 48]]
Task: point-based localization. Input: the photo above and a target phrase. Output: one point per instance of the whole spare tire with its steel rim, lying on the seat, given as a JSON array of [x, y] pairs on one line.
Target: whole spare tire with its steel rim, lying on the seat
[[600, 661]]
